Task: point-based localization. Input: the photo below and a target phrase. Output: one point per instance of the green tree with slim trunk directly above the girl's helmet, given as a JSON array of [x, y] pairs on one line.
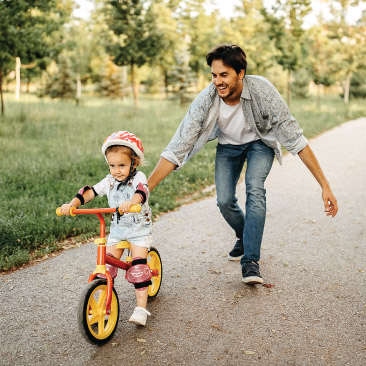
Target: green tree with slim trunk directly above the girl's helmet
[[136, 38]]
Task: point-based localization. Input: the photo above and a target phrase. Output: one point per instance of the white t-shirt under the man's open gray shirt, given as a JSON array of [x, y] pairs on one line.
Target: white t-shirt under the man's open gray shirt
[[233, 128]]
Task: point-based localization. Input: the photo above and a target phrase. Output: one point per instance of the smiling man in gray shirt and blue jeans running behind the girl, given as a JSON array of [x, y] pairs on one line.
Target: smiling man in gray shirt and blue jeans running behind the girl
[[251, 121]]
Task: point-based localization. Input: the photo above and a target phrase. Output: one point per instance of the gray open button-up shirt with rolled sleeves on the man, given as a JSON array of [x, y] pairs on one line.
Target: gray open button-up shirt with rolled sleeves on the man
[[264, 109]]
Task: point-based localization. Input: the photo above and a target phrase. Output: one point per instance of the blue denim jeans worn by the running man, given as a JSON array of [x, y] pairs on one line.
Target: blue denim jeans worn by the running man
[[229, 165]]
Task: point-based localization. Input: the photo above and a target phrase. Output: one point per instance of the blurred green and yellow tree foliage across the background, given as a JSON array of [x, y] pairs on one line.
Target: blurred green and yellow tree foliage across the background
[[164, 42]]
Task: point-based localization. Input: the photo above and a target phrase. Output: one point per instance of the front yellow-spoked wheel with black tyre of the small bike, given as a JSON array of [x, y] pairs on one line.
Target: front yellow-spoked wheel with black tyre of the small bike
[[96, 326]]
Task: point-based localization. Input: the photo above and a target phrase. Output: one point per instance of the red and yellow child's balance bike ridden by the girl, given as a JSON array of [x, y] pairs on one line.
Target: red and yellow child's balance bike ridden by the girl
[[98, 311]]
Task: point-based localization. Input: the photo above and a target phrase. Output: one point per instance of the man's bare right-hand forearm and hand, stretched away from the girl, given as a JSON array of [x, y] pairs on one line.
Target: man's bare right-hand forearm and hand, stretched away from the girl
[[309, 159]]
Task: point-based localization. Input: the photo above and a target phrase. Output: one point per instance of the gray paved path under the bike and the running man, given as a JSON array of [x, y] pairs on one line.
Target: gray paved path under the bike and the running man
[[204, 314]]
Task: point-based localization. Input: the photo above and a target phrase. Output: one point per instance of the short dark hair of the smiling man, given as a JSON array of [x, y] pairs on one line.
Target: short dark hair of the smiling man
[[231, 55]]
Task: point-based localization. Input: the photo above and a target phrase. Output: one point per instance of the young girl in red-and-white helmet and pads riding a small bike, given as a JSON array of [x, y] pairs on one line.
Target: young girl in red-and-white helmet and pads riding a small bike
[[125, 186]]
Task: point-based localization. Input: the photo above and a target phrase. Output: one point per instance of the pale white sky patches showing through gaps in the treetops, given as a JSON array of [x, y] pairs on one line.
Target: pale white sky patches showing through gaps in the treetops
[[227, 8]]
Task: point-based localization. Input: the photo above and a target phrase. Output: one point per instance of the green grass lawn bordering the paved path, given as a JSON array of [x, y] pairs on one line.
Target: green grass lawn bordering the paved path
[[49, 149]]
